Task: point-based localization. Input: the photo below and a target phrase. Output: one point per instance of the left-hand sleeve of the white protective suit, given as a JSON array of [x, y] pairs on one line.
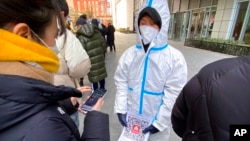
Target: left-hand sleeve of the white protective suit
[[121, 82]]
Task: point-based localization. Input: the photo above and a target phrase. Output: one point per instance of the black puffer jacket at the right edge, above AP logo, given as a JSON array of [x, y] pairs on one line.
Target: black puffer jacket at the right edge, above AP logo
[[217, 97]]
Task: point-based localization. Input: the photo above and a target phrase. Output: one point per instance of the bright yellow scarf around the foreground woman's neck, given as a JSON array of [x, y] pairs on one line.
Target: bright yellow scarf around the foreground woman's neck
[[17, 48]]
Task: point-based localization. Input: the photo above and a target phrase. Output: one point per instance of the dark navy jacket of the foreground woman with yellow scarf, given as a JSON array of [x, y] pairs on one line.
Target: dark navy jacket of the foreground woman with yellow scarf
[[29, 112]]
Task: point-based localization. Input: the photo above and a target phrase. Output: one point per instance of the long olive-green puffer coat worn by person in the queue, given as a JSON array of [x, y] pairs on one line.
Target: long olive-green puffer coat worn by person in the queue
[[95, 45]]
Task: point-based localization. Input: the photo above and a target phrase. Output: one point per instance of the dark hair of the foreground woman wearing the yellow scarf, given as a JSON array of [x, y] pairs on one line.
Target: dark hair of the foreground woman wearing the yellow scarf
[[37, 14]]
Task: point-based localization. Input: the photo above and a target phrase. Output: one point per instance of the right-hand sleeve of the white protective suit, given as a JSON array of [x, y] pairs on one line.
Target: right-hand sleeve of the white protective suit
[[173, 86]]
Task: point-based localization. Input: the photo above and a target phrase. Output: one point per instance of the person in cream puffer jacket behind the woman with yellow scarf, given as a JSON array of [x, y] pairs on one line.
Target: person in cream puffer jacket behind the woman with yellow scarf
[[74, 63]]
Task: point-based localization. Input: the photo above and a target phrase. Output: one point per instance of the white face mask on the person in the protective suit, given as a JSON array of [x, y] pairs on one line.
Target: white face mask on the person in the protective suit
[[148, 33]]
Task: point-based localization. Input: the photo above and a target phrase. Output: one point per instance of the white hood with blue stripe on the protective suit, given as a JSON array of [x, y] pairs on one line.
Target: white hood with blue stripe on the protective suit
[[161, 7]]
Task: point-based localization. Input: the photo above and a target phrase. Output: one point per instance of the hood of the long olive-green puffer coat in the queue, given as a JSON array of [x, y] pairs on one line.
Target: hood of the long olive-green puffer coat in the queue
[[87, 30]]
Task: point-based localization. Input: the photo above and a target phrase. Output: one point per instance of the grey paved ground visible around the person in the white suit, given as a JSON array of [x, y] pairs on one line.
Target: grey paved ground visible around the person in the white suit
[[195, 58]]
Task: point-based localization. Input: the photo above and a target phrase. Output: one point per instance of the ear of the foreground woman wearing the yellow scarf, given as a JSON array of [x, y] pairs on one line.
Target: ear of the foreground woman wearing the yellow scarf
[[23, 30]]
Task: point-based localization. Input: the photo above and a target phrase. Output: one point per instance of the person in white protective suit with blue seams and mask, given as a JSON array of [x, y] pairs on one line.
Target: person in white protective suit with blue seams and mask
[[150, 74]]
